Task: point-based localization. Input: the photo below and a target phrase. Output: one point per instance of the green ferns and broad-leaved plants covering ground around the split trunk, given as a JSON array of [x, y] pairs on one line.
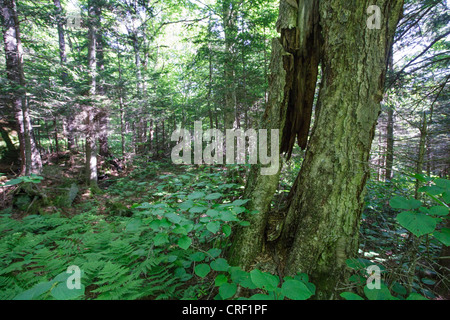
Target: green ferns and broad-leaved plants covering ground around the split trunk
[[161, 233]]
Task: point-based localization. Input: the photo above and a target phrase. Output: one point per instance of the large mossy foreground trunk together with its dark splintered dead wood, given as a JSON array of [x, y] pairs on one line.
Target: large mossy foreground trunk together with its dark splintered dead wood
[[320, 230]]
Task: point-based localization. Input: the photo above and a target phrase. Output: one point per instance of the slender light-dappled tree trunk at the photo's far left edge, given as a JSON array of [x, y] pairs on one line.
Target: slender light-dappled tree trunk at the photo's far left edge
[[31, 159]]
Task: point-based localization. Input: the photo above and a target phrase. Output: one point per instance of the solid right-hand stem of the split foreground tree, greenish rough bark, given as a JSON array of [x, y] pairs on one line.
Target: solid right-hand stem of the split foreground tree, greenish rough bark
[[322, 222]]
